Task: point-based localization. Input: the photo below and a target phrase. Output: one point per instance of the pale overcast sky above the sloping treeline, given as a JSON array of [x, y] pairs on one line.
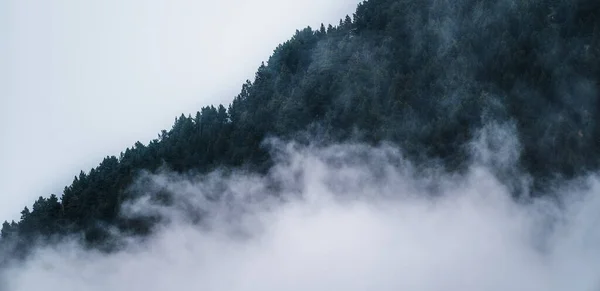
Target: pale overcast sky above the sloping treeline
[[80, 80]]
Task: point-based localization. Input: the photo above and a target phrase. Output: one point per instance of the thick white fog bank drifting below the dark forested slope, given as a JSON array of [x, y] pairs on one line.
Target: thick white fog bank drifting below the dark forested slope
[[344, 217]]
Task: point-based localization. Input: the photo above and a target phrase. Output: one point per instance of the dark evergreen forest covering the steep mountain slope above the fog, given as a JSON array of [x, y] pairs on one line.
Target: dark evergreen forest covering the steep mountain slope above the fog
[[422, 74]]
